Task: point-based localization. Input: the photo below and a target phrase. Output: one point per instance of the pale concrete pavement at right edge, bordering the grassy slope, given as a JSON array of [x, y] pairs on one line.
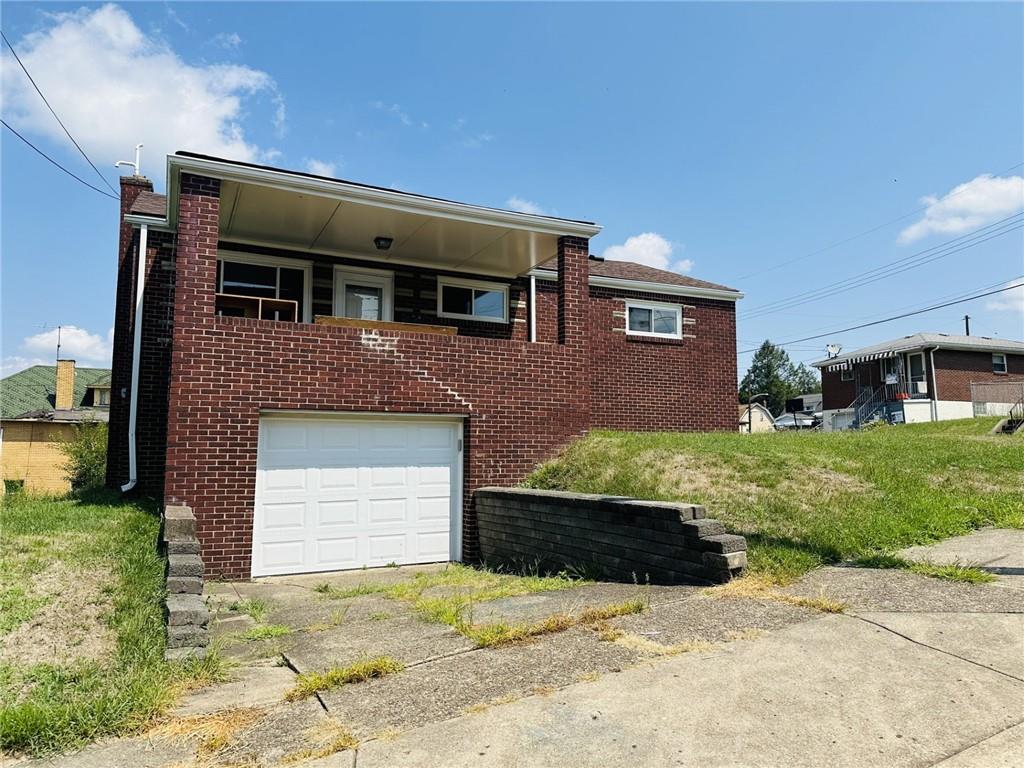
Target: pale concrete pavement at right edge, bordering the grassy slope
[[1000, 551]]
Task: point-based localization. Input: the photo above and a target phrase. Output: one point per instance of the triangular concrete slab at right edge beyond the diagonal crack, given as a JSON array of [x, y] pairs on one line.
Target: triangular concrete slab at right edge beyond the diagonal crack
[[995, 641]]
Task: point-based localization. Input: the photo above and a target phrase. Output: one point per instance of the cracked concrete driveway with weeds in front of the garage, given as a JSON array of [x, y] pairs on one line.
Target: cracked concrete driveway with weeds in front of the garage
[[917, 672]]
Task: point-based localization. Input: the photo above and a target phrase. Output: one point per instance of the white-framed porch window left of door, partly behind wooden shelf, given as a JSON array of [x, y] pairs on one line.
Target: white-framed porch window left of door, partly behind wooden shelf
[[265, 278]]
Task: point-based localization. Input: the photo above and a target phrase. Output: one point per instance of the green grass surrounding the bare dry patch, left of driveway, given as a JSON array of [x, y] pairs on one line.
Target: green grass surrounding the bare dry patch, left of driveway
[[48, 708]]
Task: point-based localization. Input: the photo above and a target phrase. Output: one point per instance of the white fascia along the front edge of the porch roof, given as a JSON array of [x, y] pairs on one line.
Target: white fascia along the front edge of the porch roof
[[380, 198]]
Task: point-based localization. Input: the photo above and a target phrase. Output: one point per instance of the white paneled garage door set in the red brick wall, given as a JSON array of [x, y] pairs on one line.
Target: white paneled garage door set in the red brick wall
[[334, 494]]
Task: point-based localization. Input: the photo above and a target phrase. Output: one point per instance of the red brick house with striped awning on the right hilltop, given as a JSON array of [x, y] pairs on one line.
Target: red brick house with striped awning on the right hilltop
[[923, 377]]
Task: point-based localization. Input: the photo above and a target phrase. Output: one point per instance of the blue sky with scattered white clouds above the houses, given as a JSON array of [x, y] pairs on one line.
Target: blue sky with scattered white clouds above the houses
[[727, 141]]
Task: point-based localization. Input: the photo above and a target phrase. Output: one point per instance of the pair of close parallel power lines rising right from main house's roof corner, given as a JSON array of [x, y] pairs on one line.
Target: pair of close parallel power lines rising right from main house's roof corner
[[945, 250]]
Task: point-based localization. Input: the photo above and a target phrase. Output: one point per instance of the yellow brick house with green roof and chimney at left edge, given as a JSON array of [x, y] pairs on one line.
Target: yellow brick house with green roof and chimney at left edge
[[40, 408]]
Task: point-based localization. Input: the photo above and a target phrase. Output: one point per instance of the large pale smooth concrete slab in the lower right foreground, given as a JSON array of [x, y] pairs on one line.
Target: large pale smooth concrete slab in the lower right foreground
[[833, 692]]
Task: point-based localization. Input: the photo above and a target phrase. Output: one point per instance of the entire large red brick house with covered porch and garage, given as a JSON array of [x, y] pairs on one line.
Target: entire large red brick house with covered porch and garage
[[328, 370]]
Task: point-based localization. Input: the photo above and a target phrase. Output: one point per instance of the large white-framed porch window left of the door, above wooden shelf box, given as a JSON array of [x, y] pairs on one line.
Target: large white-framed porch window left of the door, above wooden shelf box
[[268, 278]]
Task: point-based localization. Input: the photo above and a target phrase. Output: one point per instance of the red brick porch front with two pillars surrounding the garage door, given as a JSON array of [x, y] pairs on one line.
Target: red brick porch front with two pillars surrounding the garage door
[[226, 371]]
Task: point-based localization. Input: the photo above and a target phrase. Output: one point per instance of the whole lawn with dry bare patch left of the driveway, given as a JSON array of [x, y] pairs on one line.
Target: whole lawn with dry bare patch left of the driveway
[[82, 641]]
